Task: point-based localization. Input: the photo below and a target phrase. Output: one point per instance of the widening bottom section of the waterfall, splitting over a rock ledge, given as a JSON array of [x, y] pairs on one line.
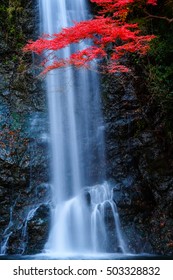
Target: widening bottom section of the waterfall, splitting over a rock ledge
[[86, 224]]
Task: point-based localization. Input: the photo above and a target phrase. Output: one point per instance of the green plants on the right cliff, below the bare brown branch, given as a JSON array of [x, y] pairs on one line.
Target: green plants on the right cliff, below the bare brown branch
[[160, 74]]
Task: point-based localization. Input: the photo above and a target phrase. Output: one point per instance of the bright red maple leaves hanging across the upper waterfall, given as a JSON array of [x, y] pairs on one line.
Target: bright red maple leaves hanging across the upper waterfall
[[109, 28]]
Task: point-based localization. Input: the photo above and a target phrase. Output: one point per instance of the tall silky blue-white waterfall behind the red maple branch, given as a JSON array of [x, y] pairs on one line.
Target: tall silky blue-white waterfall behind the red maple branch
[[79, 213]]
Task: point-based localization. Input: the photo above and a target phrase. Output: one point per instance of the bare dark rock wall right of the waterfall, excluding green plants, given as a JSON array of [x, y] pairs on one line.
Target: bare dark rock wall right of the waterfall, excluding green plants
[[139, 164]]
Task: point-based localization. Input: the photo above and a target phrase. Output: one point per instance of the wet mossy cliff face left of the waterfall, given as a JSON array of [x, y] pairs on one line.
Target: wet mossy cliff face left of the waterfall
[[23, 130]]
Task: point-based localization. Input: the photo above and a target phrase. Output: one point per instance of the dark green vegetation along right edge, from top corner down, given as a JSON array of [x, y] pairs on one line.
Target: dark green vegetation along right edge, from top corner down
[[158, 66]]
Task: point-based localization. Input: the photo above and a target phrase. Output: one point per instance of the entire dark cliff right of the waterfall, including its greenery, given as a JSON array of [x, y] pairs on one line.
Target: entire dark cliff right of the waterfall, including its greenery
[[139, 118]]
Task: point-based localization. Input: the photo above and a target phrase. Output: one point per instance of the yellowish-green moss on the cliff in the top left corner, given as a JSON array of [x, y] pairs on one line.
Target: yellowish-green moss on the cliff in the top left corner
[[13, 33]]
